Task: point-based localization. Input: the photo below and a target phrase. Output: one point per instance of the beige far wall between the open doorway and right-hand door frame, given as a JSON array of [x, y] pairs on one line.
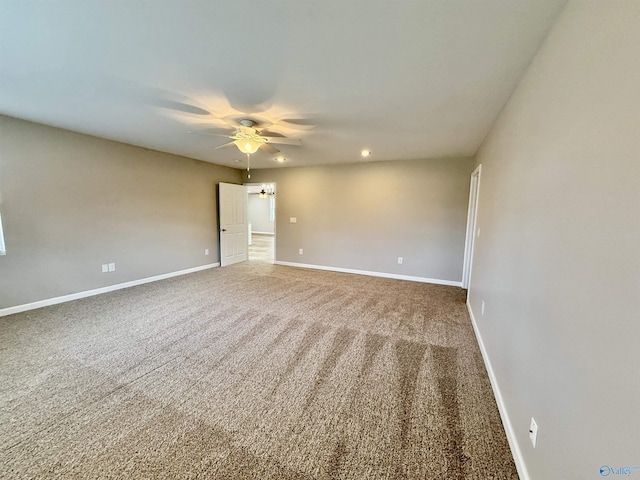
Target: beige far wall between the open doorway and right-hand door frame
[[364, 216]]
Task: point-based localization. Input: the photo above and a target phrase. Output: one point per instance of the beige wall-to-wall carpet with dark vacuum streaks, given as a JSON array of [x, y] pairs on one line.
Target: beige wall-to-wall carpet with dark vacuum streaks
[[253, 371]]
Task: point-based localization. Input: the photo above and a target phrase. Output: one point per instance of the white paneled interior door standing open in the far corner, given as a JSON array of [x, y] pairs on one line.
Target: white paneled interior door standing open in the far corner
[[233, 223]]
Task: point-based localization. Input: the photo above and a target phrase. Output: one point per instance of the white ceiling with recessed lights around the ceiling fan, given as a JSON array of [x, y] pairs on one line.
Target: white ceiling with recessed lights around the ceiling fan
[[406, 79]]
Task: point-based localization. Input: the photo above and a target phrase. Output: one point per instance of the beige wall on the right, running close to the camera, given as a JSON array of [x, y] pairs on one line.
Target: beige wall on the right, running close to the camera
[[558, 258]]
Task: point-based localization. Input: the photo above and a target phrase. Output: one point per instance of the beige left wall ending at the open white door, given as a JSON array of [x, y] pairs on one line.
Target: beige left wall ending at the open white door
[[72, 202]]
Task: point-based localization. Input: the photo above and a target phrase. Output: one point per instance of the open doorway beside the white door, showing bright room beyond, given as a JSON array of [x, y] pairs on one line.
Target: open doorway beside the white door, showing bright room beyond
[[261, 212]]
